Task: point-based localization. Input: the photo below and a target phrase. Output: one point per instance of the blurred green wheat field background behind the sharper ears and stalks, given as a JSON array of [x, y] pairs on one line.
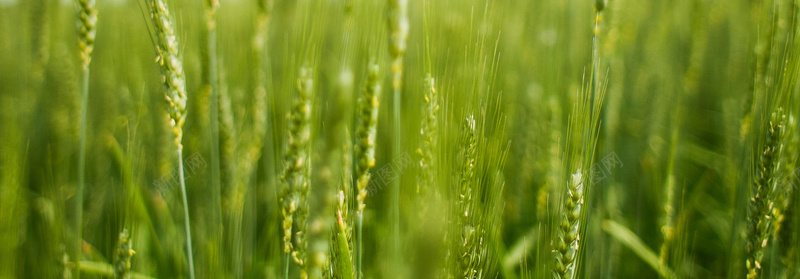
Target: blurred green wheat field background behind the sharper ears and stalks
[[679, 76]]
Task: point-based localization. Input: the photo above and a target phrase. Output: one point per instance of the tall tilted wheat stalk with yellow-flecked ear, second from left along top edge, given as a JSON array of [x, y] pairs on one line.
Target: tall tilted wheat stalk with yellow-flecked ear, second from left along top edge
[[175, 94]]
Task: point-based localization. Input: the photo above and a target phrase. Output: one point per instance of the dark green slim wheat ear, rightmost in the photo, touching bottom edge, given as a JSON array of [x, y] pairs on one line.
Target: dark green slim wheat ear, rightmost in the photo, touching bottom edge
[[761, 200]]
